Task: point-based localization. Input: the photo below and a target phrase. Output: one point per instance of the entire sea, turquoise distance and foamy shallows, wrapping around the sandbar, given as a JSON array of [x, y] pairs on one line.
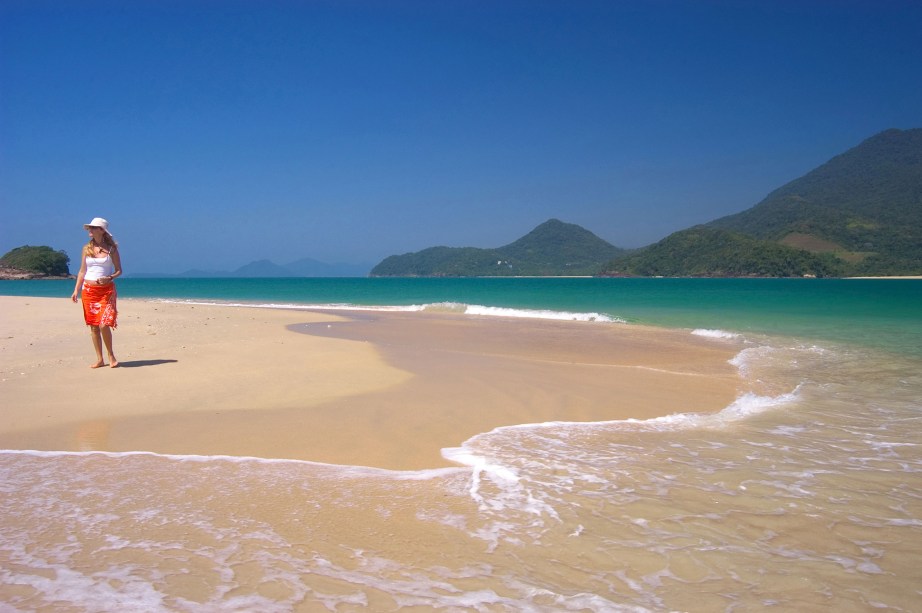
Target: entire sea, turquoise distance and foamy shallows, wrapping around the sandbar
[[804, 494]]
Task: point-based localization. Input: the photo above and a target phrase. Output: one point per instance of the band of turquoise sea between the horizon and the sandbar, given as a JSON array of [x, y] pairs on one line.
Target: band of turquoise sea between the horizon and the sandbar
[[881, 313]]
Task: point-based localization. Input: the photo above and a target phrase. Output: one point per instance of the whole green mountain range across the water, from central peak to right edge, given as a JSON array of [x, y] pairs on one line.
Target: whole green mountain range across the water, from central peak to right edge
[[860, 214]]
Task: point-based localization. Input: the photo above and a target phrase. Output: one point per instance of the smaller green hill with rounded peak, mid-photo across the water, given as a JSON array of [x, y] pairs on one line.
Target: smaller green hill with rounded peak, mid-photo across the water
[[554, 248]]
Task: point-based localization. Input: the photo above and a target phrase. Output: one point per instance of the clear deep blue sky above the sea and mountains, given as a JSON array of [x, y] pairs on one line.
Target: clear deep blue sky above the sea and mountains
[[215, 133]]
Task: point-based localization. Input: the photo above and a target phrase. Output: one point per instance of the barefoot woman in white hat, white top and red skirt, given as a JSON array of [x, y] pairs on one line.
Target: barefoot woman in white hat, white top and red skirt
[[99, 268]]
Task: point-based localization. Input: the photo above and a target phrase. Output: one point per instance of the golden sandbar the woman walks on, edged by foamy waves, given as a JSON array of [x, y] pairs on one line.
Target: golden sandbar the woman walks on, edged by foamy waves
[[386, 390]]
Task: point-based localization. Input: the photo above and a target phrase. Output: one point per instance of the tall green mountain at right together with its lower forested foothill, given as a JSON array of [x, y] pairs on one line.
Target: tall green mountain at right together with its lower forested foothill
[[858, 214]]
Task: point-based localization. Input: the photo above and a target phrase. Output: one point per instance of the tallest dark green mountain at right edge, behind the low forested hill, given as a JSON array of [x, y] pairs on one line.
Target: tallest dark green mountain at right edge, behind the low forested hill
[[864, 206]]
